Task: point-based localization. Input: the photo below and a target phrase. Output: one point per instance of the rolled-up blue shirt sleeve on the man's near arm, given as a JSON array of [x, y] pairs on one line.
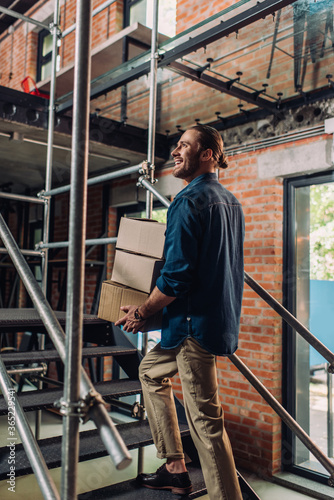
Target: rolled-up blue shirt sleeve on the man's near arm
[[183, 235]]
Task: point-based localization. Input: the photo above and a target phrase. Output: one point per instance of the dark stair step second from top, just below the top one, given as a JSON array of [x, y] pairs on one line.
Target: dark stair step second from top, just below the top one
[[28, 357]]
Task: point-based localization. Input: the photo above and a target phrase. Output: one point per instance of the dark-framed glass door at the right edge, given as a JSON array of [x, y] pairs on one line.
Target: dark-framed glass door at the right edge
[[309, 295]]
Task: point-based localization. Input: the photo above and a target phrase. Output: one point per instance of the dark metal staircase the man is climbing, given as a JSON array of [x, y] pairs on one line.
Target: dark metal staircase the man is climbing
[[136, 434]]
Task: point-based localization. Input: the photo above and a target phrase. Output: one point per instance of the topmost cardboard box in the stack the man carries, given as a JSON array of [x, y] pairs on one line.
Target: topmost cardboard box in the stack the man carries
[[143, 236]]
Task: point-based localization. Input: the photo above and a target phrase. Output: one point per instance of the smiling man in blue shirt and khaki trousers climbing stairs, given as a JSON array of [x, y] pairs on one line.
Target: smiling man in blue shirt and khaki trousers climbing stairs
[[200, 291]]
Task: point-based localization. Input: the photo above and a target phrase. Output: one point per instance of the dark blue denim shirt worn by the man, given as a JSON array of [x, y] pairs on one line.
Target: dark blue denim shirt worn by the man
[[204, 267]]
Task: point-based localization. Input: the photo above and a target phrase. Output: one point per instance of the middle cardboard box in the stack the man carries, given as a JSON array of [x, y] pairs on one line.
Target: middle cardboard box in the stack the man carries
[[136, 271]]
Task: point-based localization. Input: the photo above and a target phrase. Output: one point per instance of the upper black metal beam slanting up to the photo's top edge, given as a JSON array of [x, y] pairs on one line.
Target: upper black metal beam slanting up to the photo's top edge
[[118, 77]]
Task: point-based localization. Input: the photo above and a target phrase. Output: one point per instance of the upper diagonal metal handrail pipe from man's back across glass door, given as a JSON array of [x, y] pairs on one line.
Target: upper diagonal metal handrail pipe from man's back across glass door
[[291, 320]]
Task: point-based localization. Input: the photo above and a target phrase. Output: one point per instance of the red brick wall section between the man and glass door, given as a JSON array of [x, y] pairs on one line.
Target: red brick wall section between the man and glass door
[[253, 426]]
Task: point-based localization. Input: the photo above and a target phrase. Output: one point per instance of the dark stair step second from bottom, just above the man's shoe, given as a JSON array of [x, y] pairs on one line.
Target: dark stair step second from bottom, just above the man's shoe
[[134, 434]]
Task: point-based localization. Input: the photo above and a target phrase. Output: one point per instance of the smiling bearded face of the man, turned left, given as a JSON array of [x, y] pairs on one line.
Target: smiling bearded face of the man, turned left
[[187, 156]]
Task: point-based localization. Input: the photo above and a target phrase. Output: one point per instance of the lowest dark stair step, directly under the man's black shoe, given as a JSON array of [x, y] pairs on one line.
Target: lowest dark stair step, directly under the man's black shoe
[[130, 490]]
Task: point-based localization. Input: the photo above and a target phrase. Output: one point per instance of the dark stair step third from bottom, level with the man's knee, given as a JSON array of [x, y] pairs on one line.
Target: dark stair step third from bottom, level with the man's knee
[[39, 399]]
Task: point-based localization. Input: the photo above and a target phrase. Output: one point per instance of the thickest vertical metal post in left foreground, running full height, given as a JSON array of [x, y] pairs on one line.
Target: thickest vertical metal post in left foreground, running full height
[[76, 255]]
